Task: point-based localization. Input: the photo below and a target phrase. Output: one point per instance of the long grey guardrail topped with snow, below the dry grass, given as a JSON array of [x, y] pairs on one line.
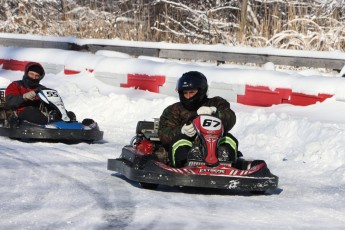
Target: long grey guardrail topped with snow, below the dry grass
[[252, 56]]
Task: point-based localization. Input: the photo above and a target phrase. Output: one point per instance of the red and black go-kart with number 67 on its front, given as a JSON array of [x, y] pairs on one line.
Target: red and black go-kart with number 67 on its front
[[145, 161]]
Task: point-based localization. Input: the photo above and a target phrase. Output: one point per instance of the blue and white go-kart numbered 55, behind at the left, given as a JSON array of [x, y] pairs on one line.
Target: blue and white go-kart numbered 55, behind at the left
[[62, 126]]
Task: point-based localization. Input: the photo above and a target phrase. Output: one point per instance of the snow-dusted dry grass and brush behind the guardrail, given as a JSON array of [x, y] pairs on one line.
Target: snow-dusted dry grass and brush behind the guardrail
[[303, 25]]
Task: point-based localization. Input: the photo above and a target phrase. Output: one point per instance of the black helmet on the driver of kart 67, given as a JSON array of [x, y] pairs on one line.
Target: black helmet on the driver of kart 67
[[192, 80]]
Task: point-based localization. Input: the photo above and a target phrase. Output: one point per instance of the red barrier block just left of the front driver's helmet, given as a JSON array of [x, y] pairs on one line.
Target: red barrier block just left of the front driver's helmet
[[144, 82]]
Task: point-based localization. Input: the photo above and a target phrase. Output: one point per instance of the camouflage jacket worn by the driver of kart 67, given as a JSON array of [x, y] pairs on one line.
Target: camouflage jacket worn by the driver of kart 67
[[175, 116]]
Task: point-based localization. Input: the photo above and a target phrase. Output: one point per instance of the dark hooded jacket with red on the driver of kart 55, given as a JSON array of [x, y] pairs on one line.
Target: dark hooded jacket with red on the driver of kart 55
[[14, 92]]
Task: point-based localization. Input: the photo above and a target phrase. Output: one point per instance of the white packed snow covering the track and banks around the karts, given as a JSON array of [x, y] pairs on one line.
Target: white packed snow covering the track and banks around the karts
[[60, 186]]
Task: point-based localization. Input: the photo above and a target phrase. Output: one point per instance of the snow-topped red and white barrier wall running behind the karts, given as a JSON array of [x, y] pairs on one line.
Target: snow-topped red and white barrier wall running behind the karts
[[244, 94]]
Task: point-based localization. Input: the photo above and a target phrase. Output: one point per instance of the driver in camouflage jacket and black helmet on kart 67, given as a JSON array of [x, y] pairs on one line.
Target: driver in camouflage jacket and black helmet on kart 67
[[176, 136]]
